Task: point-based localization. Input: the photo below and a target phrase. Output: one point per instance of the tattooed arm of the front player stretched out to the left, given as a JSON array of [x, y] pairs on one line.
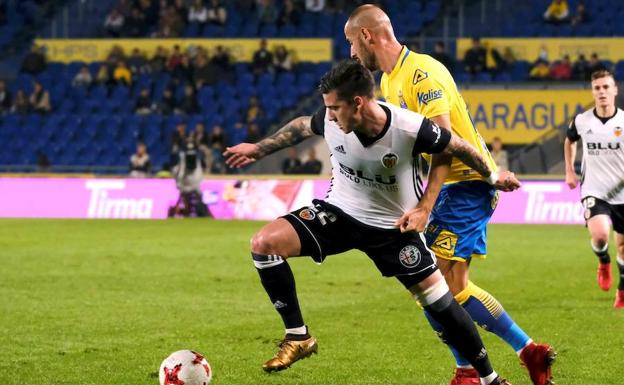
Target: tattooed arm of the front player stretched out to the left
[[295, 131]]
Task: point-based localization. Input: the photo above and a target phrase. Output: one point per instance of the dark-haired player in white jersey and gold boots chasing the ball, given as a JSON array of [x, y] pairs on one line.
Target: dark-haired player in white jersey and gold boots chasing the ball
[[372, 205]]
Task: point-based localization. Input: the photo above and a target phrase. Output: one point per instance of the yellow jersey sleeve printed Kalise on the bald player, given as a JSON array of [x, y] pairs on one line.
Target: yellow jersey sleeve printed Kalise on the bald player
[[429, 95]]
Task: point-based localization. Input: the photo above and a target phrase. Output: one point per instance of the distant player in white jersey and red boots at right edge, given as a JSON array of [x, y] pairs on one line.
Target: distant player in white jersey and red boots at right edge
[[602, 175]]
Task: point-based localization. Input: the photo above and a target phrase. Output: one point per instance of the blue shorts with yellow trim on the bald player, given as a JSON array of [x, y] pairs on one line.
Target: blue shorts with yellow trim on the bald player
[[457, 228]]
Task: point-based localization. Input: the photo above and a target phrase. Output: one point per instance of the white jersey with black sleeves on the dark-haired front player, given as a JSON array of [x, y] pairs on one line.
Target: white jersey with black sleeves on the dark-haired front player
[[376, 180]]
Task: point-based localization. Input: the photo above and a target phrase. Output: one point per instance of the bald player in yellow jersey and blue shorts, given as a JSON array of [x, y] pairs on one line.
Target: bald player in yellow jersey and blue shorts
[[457, 225]]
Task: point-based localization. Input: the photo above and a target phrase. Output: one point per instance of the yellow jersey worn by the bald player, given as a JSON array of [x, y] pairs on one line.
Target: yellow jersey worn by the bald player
[[422, 84]]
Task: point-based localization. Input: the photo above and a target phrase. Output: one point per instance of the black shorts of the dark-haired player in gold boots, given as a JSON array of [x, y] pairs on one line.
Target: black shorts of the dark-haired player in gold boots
[[324, 230]]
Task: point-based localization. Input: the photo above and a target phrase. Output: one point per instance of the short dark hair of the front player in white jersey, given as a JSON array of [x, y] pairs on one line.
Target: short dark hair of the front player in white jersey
[[350, 79]]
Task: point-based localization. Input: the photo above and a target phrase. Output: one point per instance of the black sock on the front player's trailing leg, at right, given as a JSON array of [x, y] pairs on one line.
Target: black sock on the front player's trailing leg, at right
[[460, 332]]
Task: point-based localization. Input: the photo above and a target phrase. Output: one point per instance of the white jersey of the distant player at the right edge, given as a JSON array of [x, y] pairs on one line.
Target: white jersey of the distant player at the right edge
[[602, 172]]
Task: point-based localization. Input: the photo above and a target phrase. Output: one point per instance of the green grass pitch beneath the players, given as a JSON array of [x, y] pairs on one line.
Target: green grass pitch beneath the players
[[103, 302]]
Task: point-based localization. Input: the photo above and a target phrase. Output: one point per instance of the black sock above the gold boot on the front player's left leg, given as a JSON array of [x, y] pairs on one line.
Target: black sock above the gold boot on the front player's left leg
[[279, 283]]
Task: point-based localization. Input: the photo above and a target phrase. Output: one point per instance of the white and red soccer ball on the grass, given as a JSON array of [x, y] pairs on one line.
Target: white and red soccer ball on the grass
[[185, 367]]
